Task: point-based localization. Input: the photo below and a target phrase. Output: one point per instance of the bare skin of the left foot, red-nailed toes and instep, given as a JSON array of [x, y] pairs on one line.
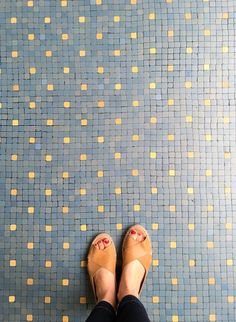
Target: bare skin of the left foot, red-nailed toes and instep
[[104, 279]]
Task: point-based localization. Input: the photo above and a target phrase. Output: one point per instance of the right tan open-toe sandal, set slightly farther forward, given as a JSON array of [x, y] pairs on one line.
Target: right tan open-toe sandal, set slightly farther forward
[[141, 251]]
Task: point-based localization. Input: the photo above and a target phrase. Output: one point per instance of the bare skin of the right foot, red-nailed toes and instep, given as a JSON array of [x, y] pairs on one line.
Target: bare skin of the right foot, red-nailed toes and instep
[[133, 273]]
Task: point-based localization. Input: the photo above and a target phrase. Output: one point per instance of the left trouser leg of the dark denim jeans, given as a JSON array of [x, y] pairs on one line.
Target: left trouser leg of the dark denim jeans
[[102, 312]]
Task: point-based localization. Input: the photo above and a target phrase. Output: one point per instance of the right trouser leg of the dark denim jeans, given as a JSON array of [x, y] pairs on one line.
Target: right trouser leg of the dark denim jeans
[[130, 309]]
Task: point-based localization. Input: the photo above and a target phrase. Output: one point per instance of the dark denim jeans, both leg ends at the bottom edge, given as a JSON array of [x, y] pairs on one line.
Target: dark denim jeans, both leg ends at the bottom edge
[[130, 309]]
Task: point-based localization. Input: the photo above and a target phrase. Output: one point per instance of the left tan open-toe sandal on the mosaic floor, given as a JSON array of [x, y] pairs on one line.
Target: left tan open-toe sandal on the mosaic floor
[[101, 258]]
